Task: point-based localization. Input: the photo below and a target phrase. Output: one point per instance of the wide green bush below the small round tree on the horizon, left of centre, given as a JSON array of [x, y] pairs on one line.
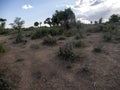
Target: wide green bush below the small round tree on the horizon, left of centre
[[40, 33]]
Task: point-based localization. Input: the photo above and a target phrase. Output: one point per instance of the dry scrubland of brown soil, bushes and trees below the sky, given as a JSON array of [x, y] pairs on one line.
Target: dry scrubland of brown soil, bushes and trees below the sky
[[67, 51]]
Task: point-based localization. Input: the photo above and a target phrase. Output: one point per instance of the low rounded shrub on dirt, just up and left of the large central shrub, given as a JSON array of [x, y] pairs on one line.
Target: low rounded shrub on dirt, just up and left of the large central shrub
[[49, 40]]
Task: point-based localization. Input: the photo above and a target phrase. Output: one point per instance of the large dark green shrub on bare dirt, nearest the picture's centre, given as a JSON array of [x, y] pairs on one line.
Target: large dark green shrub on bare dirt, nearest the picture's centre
[[66, 52]]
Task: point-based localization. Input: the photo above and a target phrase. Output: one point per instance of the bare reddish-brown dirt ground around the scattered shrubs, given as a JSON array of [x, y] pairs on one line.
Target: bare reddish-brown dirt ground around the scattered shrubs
[[41, 69]]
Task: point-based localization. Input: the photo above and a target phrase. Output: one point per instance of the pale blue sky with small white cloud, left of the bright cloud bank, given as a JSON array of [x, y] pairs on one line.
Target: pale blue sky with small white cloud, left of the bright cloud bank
[[30, 10]]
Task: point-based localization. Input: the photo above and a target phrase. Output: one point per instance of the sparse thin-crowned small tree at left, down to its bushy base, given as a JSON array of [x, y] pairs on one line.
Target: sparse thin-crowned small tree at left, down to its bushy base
[[17, 25]]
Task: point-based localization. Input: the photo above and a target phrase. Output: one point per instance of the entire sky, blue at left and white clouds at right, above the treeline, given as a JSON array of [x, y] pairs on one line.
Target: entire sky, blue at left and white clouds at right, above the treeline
[[39, 10]]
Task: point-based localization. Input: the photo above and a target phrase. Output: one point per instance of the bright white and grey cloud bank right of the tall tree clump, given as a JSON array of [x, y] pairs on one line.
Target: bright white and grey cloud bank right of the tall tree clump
[[87, 10]]
